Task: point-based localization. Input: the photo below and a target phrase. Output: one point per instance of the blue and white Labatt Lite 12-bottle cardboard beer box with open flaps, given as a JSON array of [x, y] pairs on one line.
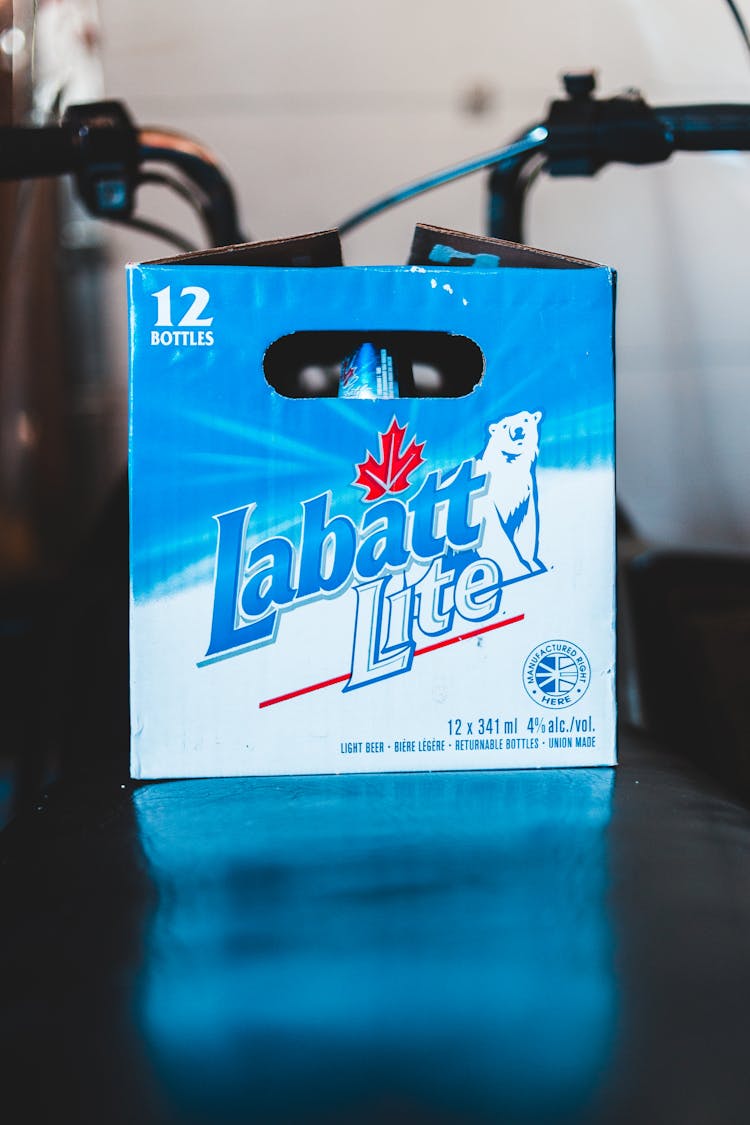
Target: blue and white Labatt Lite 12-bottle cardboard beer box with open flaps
[[324, 584]]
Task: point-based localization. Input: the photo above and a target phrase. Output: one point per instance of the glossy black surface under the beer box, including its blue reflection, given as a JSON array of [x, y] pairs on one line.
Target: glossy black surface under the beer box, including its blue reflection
[[523, 947]]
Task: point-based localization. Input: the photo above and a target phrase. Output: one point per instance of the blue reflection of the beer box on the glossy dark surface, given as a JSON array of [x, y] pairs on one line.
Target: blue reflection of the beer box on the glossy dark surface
[[435, 941]]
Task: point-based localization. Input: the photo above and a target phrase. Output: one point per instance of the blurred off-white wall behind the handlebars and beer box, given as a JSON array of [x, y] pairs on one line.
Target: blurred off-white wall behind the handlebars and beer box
[[318, 109]]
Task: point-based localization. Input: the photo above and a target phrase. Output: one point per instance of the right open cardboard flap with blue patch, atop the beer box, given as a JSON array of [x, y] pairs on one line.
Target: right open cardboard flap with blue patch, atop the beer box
[[435, 246]]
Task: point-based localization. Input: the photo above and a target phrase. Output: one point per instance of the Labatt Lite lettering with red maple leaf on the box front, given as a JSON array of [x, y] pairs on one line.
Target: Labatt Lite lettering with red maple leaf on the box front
[[406, 559]]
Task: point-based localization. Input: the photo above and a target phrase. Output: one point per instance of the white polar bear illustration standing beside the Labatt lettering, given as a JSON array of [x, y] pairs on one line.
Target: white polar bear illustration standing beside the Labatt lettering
[[510, 508]]
